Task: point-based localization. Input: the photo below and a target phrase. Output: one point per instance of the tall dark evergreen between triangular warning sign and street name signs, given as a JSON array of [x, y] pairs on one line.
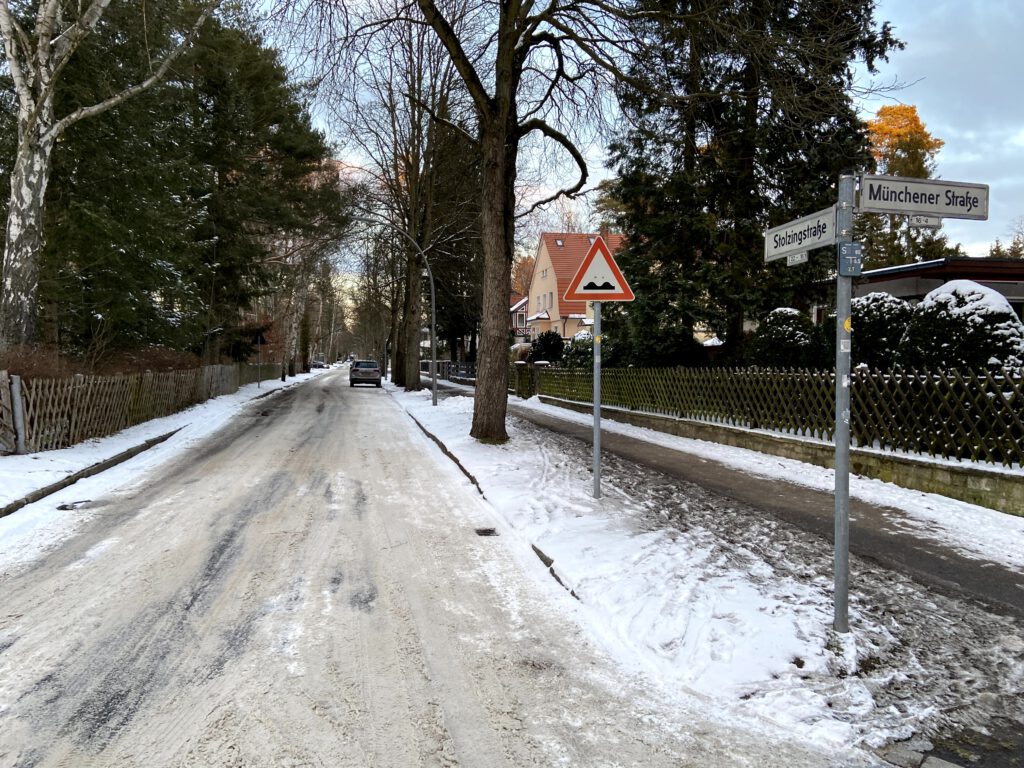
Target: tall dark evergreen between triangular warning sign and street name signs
[[760, 129]]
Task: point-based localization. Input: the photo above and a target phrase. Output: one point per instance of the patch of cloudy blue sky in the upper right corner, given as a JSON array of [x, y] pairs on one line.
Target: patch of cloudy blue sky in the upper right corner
[[963, 68]]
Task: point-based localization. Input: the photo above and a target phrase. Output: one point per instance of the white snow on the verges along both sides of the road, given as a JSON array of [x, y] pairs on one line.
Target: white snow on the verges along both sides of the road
[[695, 595]]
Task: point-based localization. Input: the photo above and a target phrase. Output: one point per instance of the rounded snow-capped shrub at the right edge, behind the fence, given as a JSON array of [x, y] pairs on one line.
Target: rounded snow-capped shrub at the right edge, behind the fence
[[963, 325]]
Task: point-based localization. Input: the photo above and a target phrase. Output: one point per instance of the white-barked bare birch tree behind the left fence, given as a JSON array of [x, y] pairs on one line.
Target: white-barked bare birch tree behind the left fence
[[39, 47]]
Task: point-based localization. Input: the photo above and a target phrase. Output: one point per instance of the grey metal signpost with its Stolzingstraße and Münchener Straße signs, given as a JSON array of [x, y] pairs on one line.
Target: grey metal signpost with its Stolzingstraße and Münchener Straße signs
[[926, 202]]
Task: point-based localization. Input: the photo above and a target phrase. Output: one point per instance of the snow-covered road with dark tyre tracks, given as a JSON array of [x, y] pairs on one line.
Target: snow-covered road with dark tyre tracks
[[309, 588]]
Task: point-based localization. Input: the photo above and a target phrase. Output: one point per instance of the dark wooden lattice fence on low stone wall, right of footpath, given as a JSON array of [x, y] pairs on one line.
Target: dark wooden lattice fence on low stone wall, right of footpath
[[954, 415]]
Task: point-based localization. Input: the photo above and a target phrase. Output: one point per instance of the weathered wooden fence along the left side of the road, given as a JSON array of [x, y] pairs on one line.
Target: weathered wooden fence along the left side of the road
[[59, 413]]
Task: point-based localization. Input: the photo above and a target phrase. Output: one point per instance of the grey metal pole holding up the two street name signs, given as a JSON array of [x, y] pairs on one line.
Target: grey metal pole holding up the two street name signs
[[844, 291]]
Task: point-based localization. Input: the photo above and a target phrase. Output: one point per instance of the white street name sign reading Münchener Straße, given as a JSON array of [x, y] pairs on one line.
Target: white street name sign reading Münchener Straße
[[954, 200]]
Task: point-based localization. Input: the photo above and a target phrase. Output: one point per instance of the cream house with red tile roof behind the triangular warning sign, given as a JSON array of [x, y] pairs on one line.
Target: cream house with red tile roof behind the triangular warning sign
[[559, 259]]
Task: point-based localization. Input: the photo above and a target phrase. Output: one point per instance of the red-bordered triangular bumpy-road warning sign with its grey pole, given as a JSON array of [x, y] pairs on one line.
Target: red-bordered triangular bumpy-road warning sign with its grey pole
[[598, 280]]
